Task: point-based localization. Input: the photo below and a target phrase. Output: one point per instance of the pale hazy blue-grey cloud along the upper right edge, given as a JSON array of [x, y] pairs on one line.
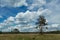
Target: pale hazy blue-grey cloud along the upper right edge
[[54, 6]]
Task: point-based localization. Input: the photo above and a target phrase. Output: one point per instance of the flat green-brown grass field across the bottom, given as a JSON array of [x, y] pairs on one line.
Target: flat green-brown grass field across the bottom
[[29, 37]]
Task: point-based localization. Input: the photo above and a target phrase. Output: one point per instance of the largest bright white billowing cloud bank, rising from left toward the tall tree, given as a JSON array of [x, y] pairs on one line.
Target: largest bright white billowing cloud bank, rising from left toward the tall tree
[[22, 21]]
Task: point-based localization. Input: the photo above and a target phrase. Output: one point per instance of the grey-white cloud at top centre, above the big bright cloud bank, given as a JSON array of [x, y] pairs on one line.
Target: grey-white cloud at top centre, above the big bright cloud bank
[[36, 3]]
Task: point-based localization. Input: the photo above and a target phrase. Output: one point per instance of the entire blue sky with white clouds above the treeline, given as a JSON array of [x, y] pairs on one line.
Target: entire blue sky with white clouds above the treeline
[[23, 14]]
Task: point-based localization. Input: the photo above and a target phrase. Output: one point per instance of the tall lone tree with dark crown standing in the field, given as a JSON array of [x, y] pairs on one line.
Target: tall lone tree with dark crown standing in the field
[[41, 22]]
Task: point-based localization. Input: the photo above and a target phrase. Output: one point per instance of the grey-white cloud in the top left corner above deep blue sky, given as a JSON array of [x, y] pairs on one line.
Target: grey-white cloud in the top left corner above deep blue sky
[[12, 3]]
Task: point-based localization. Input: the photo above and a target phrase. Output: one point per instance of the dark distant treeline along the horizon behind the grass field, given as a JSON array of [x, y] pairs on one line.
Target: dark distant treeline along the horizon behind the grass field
[[52, 32]]
